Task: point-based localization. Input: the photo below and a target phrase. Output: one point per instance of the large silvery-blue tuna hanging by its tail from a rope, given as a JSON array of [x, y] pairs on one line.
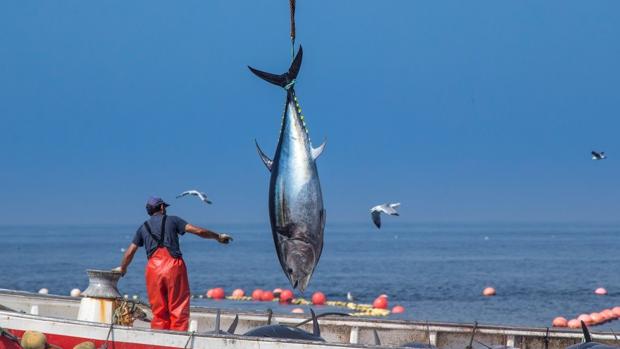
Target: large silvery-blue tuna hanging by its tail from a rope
[[295, 201]]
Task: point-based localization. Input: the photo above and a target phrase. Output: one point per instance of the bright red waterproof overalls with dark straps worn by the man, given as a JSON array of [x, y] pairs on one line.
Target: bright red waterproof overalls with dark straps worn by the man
[[167, 286]]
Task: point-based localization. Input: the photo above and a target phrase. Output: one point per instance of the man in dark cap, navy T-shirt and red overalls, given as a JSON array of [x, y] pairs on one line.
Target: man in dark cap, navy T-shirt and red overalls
[[166, 276]]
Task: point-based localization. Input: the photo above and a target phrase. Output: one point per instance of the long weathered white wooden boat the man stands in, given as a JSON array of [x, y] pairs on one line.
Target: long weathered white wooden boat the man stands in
[[349, 332]]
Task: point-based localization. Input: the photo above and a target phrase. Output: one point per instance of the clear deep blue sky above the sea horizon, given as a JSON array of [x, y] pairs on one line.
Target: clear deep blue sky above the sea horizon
[[463, 111]]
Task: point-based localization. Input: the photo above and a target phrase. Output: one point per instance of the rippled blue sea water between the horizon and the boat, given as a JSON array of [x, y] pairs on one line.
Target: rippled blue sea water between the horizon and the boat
[[437, 271]]
